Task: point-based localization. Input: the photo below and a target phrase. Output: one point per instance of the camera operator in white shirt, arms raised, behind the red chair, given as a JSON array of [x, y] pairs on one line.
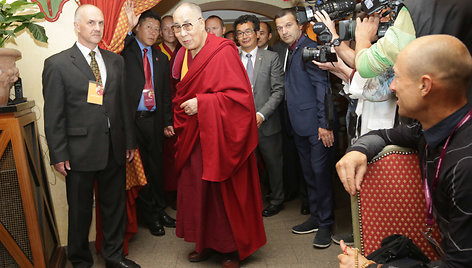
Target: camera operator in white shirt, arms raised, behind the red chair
[[372, 105]]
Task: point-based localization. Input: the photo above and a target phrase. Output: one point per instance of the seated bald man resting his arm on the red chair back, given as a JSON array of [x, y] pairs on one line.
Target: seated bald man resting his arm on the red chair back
[[432, 75]]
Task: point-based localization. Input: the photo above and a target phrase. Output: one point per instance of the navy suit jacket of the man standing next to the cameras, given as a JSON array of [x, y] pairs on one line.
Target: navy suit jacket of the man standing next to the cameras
[[306, 86]]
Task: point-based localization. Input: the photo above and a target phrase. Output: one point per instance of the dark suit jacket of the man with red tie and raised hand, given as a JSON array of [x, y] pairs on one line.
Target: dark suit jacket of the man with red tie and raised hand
[[135, 81]]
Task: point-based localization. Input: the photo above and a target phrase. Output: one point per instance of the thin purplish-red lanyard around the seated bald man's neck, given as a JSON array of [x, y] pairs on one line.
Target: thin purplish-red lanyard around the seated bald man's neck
[[427, 192]]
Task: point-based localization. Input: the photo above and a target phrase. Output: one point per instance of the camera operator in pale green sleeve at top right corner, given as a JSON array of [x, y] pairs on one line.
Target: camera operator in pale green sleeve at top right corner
[[416, 18]]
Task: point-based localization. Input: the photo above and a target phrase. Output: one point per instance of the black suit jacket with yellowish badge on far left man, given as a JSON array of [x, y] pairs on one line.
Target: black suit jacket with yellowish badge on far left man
[[79, 131]]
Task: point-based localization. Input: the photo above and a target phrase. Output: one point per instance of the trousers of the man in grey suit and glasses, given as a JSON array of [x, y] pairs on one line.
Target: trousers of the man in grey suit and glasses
[[270, 148]]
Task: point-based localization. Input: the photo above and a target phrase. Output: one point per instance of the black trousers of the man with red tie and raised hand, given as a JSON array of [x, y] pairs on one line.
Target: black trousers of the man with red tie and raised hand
[[151, 197]]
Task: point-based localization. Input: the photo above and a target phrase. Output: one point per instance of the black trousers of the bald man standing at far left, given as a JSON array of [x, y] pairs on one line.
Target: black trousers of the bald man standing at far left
[[111, 188]]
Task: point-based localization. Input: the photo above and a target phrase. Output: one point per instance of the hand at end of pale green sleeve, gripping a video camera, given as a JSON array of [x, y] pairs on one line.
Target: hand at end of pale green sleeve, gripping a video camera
[[366, 31]]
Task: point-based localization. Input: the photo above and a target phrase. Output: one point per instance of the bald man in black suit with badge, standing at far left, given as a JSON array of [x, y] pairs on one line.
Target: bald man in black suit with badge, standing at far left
[[89, 134]]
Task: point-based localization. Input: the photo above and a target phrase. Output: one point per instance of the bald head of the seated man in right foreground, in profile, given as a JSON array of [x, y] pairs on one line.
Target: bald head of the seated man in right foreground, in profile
[[432, 75]]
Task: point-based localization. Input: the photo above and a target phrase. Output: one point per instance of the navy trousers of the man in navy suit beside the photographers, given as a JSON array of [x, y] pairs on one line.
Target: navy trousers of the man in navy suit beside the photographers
[[317, 164]]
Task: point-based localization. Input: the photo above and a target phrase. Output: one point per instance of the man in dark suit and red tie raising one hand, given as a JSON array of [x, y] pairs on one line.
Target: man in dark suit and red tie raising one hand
[[148, 92]]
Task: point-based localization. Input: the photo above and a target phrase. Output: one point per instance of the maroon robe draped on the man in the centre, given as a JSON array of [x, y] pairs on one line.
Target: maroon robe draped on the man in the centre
[[221, 139]]
